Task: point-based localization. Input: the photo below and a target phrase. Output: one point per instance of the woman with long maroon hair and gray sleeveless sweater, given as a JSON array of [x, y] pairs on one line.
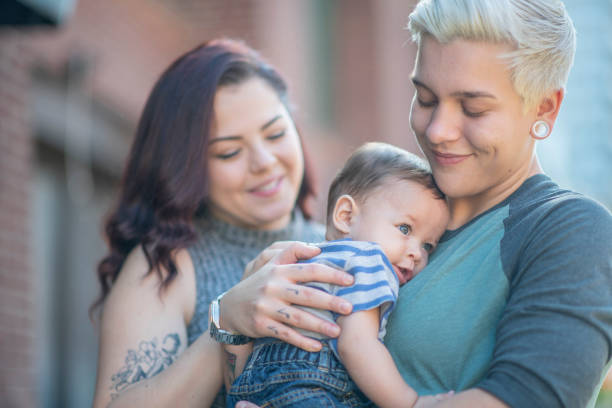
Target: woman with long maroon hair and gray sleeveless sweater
[[216, 173]]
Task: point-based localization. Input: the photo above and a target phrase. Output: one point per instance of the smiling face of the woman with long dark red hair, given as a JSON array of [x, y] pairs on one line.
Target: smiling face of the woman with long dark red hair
[[255, 157]]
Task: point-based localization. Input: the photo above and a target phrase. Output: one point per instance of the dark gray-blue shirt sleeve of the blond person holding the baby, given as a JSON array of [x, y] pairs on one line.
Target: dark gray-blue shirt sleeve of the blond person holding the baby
[[553, 340]]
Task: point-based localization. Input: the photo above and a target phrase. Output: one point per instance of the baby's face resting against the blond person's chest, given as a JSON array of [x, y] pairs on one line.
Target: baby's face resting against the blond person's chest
[[406, 220]]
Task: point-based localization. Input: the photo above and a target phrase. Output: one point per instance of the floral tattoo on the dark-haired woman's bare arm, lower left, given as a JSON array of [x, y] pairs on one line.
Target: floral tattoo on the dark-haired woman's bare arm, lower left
[[150, 359]]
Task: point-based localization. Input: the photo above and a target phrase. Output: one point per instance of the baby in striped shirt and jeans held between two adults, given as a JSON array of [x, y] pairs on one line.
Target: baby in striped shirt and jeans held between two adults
[[384, 218]]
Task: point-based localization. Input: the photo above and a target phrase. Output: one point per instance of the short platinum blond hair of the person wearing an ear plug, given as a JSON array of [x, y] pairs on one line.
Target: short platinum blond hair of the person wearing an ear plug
[[541, 32]]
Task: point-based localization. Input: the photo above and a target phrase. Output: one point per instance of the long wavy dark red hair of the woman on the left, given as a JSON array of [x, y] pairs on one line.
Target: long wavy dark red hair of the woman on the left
[[165, 181]]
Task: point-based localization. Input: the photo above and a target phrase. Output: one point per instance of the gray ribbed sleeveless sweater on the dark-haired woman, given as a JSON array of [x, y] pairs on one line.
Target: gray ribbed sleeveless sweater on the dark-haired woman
[[223, 250]]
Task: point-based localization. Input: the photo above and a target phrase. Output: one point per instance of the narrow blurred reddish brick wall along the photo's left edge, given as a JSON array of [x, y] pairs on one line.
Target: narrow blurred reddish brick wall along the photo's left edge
[[17, 385]]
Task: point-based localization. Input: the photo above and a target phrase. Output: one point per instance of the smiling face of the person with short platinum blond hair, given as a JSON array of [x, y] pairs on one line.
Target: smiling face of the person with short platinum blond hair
[[469, 121]]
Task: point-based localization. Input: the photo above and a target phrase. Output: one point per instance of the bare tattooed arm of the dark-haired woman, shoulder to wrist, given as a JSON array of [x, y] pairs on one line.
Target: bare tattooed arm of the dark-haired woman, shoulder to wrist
[[143, 355]]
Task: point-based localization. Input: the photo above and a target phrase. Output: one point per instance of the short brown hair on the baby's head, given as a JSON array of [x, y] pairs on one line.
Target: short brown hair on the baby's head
[[372, 165]]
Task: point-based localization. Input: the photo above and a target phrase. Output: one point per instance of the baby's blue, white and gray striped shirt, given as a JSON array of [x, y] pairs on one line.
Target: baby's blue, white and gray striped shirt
[[376, 284]]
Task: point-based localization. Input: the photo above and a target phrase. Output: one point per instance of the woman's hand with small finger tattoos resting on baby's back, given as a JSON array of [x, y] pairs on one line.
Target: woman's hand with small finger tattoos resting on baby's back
[[261, 305]]
